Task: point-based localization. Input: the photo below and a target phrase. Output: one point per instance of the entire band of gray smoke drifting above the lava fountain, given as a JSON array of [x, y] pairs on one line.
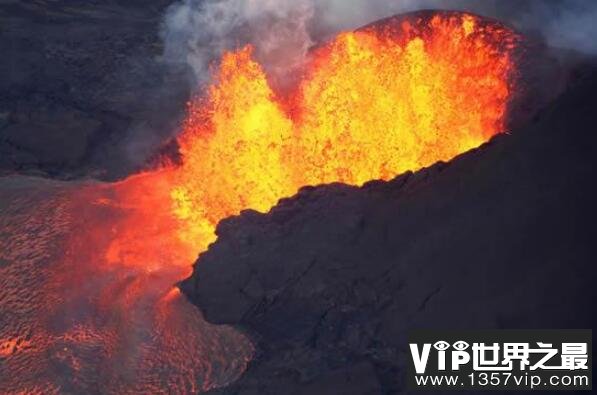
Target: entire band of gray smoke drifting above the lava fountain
[[196, 32]]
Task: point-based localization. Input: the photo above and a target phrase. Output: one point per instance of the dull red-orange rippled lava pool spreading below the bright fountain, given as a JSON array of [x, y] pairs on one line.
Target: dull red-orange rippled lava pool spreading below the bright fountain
[[87, 301]]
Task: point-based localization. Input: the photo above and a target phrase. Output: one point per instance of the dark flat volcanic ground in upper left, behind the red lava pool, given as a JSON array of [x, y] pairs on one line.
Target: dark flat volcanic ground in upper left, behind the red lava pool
[[83, 90]]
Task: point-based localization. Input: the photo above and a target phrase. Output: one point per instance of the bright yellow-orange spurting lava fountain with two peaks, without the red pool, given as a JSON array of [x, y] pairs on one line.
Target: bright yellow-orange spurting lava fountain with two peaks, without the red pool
[[374, 103]]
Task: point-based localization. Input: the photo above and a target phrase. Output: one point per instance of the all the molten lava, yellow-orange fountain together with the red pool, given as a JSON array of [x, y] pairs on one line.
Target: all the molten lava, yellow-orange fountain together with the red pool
[[87, 269]]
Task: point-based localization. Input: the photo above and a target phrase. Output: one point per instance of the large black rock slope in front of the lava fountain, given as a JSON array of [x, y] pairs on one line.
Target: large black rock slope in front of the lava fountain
[[331, 280]]
